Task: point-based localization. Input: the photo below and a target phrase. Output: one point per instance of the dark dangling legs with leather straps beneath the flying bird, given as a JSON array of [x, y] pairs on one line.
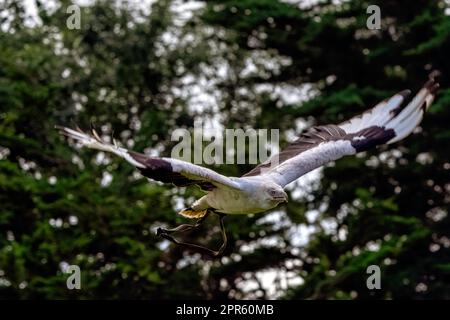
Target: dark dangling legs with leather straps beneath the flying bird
[[165, 233]]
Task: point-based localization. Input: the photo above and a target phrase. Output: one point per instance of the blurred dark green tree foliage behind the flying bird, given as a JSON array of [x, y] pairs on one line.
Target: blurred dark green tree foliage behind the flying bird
[[143, 71]]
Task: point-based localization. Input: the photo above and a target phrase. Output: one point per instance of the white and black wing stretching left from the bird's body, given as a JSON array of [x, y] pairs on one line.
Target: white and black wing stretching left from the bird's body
[[167, 170]]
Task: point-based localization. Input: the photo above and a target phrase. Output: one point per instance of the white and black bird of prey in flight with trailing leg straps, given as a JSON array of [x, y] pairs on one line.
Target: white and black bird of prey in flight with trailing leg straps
[[262, 188]]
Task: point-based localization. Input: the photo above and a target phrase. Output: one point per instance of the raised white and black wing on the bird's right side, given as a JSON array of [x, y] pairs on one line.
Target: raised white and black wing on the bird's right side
[[387, 122]]
